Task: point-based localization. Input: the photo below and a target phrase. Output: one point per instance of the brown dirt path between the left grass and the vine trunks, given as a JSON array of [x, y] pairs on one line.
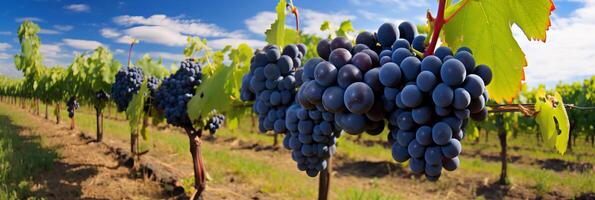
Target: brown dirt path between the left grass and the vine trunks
[[85, 170]]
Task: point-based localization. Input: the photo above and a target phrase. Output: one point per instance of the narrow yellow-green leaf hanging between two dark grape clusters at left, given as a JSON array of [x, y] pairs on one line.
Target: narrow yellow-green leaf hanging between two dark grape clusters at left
[[135, 109]]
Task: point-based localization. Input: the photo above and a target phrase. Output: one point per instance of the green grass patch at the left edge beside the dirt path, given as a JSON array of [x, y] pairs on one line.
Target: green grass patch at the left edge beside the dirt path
[[20, 157]]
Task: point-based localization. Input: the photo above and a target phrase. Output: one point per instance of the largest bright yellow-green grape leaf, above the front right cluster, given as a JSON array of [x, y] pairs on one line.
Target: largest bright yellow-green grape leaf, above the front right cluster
[[485, 27]]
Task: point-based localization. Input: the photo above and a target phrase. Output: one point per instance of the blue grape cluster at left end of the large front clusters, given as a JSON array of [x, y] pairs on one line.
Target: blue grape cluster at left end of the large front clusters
[[272, 83]]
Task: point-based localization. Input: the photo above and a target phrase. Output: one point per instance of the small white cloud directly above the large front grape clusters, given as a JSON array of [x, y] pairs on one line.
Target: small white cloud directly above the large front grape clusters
[[312, 20]]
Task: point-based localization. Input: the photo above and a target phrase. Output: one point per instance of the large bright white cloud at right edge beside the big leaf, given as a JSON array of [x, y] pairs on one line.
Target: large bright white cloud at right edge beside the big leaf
[[568, 52]]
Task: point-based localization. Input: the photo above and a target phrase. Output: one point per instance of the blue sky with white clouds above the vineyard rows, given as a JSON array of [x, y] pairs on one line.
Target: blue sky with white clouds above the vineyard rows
[[70, 27]]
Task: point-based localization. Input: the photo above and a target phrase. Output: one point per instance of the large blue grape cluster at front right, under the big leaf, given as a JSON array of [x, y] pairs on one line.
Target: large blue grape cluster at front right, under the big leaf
[[428, 101]]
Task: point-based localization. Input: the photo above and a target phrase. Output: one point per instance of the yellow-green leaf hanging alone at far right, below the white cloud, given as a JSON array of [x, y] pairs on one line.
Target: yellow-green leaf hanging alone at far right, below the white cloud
[[552, 120]]
